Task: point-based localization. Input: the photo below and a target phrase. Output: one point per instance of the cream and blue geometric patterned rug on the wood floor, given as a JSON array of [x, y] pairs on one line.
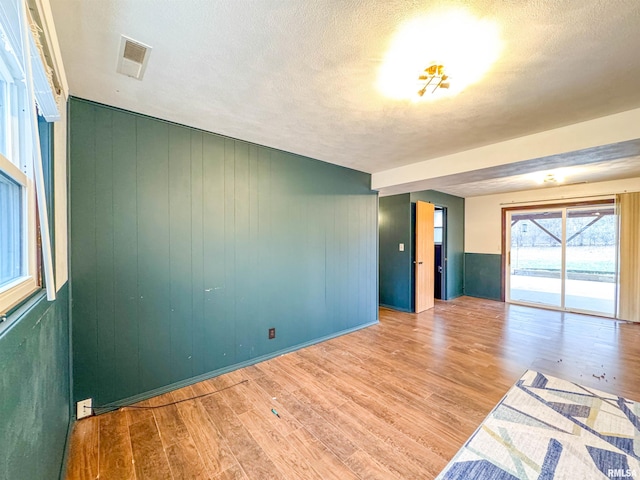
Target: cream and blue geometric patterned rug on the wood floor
[[547, 428]]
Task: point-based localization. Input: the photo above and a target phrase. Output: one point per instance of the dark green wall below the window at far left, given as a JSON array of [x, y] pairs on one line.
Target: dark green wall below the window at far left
[[34, 392]]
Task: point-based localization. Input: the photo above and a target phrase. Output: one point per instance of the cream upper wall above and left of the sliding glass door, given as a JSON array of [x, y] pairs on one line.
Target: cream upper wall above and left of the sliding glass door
[[483, 215]]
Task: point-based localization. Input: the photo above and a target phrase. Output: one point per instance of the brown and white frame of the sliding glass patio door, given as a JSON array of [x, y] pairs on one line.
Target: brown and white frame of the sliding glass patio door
[[505, 245]]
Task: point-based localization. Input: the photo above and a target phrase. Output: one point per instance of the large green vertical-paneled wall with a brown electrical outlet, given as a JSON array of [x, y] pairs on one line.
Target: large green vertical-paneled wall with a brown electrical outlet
[[187, 246]]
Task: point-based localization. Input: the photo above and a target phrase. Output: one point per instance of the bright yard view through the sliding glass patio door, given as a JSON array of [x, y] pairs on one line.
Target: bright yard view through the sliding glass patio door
[[563, 258]]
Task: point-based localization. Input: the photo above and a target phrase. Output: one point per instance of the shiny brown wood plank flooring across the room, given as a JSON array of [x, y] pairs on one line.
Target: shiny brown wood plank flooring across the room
[[395, 400]]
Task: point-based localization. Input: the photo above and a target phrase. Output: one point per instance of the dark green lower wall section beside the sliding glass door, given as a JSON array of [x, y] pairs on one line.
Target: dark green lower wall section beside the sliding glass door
[[482, 275]]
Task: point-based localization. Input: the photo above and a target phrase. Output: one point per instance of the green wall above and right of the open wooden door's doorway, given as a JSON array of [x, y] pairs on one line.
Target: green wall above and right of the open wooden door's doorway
[[455, 237]]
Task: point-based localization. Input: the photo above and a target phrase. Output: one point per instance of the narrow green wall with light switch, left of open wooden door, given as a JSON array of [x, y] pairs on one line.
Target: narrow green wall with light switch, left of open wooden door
[[395, 266]]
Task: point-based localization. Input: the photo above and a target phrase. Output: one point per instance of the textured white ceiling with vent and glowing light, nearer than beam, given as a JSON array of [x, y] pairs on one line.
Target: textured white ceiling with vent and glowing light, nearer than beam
[[301, 76]]
